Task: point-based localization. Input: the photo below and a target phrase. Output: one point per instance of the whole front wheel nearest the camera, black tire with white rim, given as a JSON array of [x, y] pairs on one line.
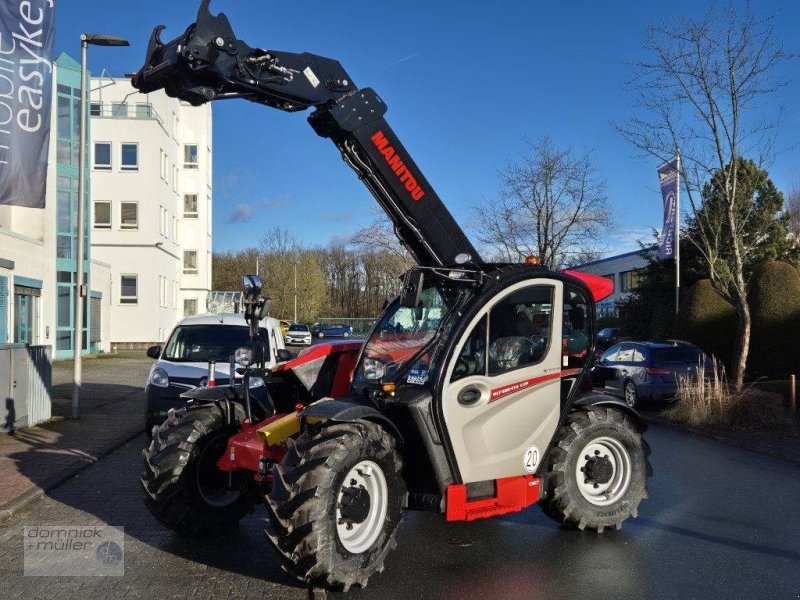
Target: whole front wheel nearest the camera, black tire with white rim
[[335, 504]]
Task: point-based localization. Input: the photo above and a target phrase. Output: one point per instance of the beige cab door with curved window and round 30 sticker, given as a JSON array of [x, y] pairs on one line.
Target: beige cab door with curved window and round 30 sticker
[[502, 392]]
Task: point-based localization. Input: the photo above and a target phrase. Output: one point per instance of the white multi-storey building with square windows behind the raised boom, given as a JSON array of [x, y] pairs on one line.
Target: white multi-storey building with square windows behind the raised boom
[[151, 171]]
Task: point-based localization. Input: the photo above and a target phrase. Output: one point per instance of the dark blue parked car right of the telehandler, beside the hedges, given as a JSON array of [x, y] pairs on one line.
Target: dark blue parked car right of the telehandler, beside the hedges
[[648, 370]]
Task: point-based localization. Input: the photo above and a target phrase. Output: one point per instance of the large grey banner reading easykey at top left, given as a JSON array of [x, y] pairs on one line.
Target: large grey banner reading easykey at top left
[[27, 33]]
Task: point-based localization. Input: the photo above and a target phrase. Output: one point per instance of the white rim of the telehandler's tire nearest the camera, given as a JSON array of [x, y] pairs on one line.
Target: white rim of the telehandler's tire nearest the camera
[[361, 506]]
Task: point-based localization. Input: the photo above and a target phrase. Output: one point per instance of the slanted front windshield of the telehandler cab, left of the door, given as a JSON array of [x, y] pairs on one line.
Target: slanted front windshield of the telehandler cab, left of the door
[[401, 333]]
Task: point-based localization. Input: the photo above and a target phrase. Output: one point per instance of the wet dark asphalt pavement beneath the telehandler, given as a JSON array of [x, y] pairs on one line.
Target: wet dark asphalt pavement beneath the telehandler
[[721, 522]]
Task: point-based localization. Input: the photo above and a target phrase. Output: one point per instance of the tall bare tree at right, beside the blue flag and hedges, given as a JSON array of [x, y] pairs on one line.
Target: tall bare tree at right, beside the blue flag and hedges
[[706, 90]]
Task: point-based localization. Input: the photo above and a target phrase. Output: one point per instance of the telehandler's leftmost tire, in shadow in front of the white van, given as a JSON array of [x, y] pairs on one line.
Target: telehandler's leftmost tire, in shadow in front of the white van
[[183, 489]]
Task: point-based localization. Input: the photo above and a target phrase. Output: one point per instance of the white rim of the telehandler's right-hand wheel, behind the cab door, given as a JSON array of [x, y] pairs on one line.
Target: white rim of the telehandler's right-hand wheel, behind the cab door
[[603, 471]]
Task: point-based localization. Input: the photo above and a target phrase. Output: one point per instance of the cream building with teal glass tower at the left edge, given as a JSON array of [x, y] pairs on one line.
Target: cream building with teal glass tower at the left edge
[[38, 246]]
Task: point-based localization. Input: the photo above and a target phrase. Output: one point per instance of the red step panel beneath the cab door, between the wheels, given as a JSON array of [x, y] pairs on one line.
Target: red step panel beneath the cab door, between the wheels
[[512, 495]]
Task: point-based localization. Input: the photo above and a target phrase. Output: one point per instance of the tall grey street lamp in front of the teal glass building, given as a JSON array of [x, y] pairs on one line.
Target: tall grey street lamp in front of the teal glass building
[[95, 39]]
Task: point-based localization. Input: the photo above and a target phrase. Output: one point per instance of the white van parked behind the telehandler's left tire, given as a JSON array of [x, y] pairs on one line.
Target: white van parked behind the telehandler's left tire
[[183, 363]]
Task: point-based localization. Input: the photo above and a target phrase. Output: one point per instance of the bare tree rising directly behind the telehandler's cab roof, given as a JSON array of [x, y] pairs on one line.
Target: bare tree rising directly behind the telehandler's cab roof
[[552, 204]]
